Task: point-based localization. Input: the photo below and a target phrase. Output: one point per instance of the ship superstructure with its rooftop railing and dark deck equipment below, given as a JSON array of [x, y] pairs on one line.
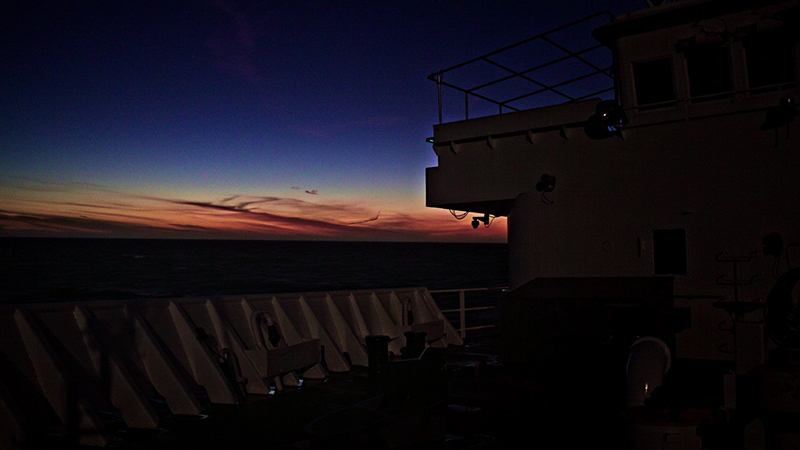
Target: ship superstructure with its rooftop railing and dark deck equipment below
[[663, 206]]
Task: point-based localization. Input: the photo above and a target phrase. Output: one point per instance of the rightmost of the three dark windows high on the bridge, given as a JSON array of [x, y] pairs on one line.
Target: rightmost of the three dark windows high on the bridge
[[769, 60]]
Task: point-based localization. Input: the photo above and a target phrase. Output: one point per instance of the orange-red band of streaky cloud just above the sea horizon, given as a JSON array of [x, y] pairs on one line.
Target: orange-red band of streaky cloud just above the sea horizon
[[101, 211]]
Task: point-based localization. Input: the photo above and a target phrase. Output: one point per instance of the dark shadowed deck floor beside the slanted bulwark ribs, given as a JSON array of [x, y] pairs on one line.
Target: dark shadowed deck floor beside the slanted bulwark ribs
[[486, 405]]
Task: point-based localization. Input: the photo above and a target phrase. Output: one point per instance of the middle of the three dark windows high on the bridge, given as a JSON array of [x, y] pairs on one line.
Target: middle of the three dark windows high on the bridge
[[709, 68]]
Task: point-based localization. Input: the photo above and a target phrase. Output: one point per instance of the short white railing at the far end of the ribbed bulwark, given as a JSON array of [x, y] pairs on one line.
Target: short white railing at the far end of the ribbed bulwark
[[486, 300]]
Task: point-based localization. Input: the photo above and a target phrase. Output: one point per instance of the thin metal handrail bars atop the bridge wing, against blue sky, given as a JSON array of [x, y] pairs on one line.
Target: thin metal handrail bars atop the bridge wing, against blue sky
[[438, 77]]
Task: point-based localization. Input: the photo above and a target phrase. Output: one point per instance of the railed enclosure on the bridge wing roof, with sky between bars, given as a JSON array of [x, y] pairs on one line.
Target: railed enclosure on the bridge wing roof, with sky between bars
[[596, 80]]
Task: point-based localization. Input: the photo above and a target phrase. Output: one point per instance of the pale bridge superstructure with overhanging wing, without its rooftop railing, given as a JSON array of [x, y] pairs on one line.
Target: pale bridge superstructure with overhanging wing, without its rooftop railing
[[690, 172]]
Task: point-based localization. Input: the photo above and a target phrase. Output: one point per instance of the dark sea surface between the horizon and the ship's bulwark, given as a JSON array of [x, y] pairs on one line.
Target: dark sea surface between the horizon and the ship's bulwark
[[60, 269]]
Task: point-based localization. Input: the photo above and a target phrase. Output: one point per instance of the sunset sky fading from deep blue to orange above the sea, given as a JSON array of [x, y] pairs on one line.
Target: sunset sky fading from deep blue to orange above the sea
[[239, 119]]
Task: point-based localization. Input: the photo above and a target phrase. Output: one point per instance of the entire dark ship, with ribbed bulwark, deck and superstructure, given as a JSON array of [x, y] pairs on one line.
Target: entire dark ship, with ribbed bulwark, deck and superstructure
[[654, 238]]
